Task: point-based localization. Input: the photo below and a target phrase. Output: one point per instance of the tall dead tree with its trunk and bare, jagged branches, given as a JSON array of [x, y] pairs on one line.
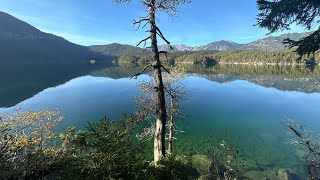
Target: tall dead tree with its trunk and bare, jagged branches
[[171, 8]]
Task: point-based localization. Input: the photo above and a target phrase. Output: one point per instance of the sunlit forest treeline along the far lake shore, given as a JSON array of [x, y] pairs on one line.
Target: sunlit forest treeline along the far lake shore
[[280, 57]]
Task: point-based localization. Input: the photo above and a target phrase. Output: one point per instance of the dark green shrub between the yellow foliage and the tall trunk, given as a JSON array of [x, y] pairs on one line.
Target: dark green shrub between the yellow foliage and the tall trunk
[[107, 152]]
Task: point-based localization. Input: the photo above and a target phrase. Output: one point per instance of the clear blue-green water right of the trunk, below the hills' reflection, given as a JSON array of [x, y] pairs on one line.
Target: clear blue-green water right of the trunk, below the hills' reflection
[[254, 113]]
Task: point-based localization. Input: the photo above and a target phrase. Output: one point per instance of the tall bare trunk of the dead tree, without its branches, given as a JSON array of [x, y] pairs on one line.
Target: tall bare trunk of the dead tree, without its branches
[[159, 136]]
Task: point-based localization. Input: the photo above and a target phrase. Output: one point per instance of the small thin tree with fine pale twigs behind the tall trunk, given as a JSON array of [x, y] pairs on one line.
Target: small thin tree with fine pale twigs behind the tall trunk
[[175, 92]]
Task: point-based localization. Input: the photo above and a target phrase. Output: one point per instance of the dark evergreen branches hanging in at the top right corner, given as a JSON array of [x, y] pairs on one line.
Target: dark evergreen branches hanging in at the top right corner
[[280, 14]]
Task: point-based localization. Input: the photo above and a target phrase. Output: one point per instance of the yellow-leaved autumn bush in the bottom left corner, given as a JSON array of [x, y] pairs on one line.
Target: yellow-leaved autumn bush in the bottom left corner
[[27, 143]]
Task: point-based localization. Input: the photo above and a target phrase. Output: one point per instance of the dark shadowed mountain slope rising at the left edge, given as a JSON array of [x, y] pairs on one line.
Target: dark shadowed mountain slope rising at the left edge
[[23, 43]]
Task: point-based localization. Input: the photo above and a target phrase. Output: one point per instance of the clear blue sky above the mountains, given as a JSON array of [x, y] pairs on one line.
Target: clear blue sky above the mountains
[[104, 22]]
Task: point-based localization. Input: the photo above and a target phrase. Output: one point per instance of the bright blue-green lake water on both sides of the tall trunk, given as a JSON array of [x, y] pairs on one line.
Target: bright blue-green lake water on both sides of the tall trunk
[[245, 105]]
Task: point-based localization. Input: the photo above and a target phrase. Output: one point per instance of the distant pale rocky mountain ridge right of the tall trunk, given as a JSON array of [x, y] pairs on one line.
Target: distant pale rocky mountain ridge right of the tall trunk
[[266, 44]]
